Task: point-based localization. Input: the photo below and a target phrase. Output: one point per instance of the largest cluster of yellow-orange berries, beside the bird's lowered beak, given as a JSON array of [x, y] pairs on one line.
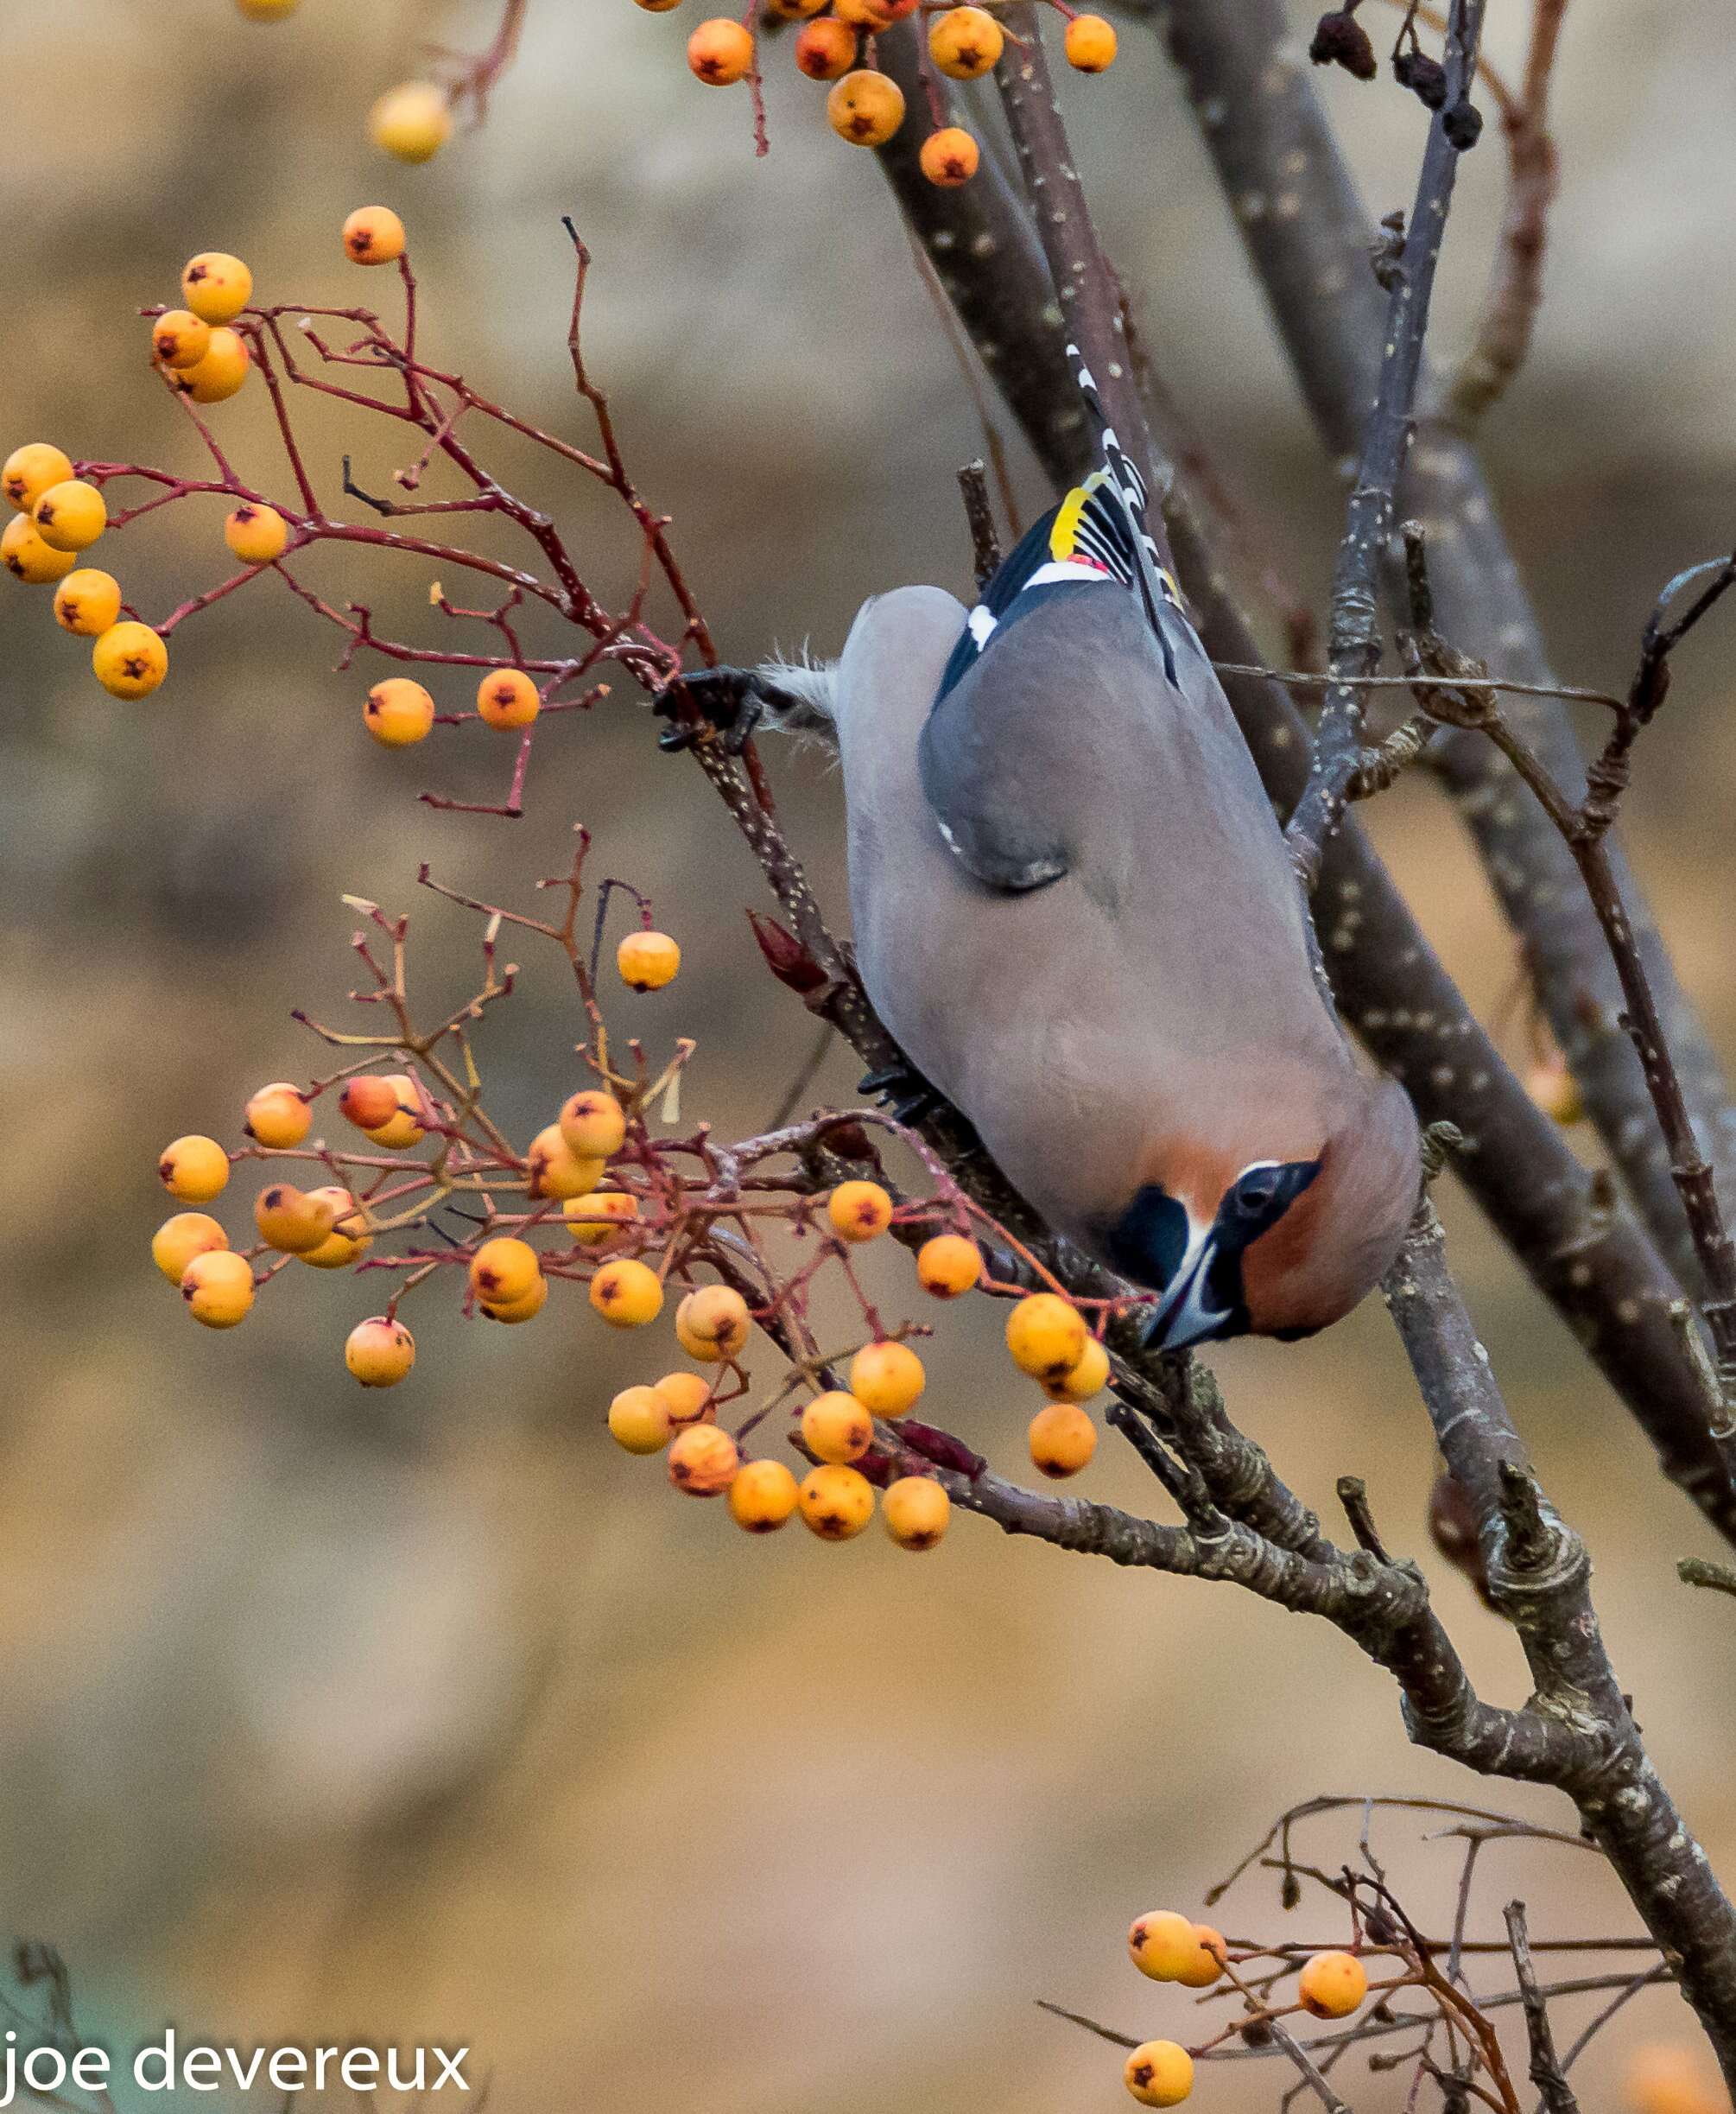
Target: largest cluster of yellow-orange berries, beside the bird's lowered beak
[[420, 1183]]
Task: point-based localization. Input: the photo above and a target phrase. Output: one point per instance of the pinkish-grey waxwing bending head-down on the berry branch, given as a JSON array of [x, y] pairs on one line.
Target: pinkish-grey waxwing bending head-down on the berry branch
[[1075, 910]]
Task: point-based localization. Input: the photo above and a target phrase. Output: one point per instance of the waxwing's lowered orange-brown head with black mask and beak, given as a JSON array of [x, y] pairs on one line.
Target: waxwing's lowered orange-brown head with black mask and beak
[[1280, 1244]]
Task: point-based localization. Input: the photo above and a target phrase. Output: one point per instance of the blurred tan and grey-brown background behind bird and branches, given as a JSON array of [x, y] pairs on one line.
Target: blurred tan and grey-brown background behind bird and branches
[[432, 1716]]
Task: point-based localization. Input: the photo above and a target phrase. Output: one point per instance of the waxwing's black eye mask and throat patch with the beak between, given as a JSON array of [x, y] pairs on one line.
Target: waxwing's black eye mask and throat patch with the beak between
[[1200, 1278]]
